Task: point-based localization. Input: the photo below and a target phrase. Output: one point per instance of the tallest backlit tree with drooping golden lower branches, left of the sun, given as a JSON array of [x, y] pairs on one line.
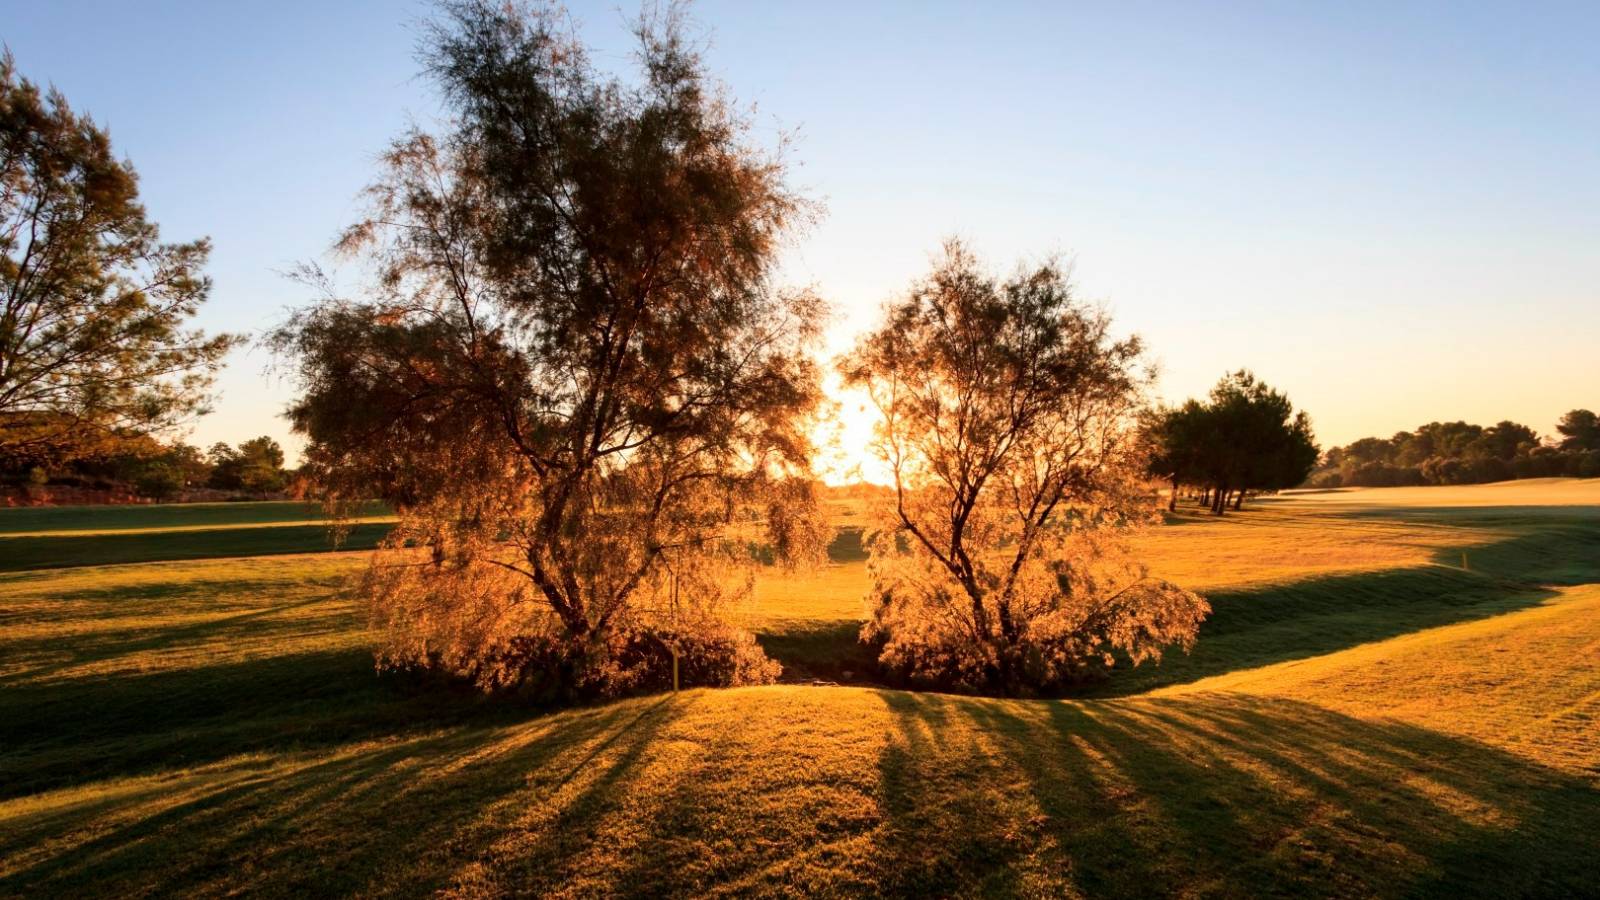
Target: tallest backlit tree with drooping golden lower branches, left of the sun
[[574, 377]]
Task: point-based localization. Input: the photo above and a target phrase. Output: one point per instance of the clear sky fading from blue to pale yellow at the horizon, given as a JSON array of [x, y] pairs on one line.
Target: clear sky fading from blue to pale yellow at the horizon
[[1390, 211]]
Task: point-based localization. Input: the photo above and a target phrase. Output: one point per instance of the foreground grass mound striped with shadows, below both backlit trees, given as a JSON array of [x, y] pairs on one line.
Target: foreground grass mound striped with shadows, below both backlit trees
[[834, 792]]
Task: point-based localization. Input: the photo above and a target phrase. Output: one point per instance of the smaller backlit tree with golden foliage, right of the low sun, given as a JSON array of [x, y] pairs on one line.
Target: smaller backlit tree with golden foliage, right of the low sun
[[1010, 427]]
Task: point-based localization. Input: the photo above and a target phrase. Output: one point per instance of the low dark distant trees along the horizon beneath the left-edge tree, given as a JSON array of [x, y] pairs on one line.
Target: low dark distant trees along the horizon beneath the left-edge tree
[[161, 472]]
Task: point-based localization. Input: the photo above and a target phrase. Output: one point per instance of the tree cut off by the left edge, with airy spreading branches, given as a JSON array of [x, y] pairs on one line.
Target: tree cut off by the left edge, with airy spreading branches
[[94, 307]]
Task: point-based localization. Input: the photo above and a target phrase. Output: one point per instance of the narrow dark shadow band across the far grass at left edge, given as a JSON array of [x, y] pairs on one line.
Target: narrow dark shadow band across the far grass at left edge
[[66, 552]]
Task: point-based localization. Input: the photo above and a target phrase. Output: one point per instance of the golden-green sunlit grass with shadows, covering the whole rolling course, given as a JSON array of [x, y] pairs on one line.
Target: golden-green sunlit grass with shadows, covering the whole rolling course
[[1362, 717]]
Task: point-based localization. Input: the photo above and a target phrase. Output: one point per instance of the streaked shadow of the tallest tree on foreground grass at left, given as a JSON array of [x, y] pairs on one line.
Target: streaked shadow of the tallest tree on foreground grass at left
[[399, 816]]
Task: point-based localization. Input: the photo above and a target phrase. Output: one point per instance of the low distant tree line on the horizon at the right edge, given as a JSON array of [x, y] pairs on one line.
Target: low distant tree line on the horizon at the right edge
[[1457, 452]]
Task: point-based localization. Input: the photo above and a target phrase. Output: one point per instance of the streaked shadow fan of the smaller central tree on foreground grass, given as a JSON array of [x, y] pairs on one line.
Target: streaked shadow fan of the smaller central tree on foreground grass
[[1217, 795]]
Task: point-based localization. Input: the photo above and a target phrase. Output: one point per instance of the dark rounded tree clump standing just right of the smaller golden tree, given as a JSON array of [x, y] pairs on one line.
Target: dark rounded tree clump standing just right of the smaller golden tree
[[1246, 438]]
